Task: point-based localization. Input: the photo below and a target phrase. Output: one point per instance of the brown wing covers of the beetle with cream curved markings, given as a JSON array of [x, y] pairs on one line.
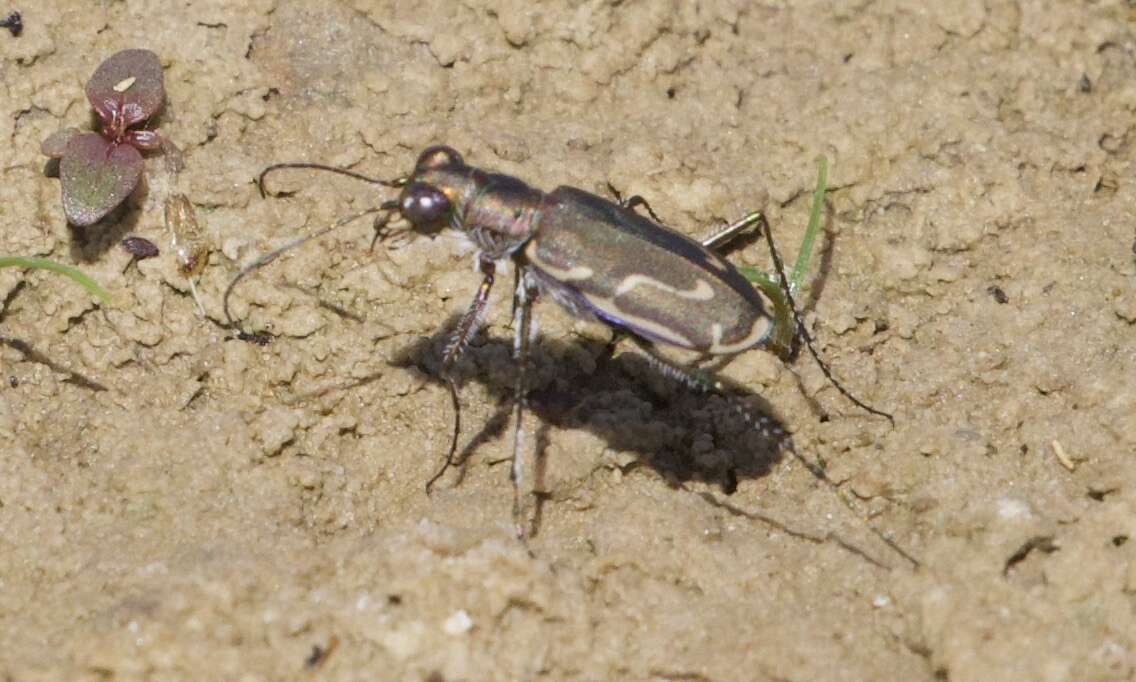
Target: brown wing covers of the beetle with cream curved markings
[[645, 278]]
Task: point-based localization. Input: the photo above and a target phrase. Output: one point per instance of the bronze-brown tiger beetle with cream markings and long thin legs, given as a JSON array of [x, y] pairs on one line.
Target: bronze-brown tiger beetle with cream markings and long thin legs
[[600, 261]]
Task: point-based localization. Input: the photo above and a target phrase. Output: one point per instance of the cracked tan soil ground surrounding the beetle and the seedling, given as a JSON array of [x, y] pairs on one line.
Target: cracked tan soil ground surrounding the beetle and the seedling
[[221, 509]]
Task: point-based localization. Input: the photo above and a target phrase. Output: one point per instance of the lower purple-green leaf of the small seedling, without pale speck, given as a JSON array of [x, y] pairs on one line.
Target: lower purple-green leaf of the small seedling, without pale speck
[[97, 177]]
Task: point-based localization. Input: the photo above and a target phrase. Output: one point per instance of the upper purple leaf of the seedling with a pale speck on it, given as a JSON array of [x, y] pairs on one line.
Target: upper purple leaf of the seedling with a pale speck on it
[[129, 84]]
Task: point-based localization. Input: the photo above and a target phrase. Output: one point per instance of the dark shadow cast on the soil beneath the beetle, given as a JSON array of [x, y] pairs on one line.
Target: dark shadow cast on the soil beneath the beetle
[[684, 435]]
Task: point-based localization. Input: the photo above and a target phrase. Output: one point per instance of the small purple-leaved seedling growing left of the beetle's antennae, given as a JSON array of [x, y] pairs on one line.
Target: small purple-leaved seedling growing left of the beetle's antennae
[[99, 171]]
